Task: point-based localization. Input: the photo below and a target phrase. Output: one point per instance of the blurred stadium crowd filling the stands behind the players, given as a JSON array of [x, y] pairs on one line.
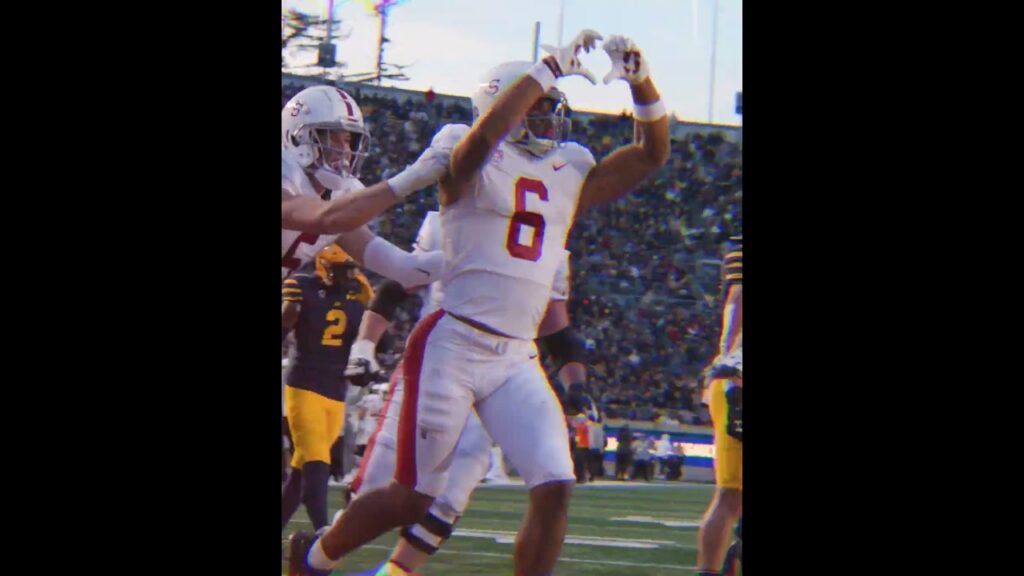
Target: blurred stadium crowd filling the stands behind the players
[[646, 270]]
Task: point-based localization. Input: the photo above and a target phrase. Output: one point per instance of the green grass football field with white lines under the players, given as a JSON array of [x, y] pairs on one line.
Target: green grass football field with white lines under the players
[[616, 529]]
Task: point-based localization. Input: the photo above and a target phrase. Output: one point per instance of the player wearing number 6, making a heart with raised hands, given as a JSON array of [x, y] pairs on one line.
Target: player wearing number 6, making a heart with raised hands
[[509, 197]]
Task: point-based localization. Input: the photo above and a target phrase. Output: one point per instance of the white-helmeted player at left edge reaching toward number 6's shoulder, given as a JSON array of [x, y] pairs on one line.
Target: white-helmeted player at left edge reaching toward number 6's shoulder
[[324, 144]]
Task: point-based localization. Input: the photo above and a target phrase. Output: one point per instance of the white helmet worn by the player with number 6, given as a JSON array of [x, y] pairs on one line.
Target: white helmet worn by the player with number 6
[[541, 133]]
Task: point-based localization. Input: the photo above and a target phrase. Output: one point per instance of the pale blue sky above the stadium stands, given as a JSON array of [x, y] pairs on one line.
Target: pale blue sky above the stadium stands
[[449, 45]]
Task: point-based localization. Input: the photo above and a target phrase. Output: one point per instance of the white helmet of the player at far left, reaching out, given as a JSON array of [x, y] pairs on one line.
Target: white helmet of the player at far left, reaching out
[[308, 122]]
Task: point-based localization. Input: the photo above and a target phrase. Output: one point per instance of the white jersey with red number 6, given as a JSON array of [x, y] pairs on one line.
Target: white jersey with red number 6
[[505, 238]]
